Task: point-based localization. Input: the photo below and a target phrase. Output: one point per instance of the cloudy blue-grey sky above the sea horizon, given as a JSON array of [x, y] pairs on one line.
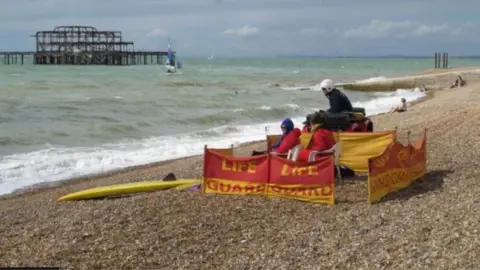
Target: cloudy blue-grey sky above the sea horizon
[[239, 28]]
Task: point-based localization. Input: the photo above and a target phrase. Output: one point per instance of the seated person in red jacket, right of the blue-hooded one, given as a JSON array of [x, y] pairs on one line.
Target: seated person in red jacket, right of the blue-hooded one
[[322, 138]]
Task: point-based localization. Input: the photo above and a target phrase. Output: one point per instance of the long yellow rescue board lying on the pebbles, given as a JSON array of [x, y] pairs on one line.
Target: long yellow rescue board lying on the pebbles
[[129, 188]]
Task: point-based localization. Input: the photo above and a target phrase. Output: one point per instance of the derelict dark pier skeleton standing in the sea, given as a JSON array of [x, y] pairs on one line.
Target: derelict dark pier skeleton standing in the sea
[[83, 45]]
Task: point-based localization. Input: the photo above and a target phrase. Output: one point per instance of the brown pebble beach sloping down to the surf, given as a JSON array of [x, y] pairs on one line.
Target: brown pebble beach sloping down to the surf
[[432, 224]]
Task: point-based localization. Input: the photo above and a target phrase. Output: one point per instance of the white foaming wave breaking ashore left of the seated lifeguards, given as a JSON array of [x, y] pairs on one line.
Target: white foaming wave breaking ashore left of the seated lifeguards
[[57, 163]]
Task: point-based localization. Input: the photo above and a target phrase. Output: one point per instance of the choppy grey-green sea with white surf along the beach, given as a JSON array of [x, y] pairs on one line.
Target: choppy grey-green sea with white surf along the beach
[[61, 122]]
